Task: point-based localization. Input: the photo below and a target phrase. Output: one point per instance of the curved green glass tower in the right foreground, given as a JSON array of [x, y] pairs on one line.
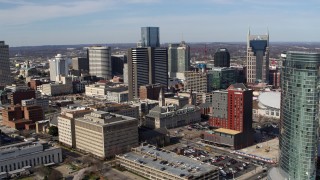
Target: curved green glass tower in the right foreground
[[299, 118]]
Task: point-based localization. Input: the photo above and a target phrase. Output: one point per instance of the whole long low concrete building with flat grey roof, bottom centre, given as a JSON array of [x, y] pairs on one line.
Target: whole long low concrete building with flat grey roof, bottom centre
[[154, 163]]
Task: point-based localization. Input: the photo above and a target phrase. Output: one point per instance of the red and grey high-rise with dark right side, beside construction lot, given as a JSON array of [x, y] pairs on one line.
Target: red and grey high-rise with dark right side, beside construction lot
[[232, 110]]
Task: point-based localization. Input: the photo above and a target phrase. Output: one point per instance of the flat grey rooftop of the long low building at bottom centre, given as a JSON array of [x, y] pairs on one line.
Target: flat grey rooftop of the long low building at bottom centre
[[174, 164]]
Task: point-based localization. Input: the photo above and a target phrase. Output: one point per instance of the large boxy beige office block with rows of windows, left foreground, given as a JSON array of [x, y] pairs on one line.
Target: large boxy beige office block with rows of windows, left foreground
[[106, 134]]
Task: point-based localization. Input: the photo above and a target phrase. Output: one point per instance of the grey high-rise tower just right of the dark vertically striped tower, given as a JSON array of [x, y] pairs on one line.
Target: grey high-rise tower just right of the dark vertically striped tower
[[178, 58]]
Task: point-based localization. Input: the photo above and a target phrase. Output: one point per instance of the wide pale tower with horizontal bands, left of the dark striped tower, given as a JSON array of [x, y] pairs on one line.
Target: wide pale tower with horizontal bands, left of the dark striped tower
[[100, 61]]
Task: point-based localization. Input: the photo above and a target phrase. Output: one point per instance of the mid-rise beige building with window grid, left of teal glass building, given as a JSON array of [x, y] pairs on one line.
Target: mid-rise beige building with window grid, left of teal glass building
[[196, 81]]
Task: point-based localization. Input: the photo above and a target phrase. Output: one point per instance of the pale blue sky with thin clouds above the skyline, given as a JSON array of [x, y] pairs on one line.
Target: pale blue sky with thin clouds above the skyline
[[66, 22]]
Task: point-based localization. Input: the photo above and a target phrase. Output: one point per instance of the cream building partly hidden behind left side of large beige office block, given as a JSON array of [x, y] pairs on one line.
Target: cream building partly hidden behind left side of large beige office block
[[66, 126]]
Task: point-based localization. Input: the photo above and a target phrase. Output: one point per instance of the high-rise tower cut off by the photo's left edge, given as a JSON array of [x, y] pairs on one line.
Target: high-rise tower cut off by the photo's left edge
[[5, 75]]
